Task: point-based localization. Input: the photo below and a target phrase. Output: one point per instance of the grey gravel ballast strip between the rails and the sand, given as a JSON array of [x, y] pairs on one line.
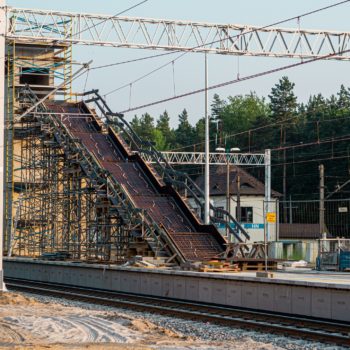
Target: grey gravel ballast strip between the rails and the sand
[[205, 335]]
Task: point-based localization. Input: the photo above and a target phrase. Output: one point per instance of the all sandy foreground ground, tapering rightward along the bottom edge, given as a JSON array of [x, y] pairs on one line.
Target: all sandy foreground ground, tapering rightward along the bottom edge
[[26, 323]]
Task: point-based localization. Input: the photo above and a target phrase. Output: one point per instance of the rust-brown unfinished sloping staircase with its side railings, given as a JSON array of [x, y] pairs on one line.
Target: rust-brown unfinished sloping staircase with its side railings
[[133, 203]]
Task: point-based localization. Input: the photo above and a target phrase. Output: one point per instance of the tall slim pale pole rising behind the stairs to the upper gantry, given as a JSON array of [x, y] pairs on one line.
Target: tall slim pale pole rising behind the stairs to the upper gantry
[[206, 170]]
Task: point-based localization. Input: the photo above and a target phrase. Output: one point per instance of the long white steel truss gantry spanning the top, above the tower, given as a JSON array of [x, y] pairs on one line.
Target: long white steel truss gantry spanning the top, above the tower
[[145, 33]]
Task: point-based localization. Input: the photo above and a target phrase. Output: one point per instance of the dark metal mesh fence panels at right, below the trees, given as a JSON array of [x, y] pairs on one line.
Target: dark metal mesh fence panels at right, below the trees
[[307, 213]]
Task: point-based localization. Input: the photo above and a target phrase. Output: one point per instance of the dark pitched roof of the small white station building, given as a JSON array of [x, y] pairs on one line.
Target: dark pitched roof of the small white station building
[[250, 185]]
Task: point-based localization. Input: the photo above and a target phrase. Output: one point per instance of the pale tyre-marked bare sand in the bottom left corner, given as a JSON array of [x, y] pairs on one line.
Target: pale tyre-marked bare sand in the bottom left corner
[[28, 324]]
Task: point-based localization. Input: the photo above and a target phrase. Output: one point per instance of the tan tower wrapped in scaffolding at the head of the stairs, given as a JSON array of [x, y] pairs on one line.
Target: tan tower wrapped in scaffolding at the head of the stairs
[[42, 67]]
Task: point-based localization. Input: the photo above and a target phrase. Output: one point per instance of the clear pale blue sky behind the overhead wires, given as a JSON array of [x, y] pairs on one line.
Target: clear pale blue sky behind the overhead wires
[[323, 77]]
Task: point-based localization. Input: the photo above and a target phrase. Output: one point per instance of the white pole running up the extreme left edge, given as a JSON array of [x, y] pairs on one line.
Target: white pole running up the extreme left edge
[[2, 132]]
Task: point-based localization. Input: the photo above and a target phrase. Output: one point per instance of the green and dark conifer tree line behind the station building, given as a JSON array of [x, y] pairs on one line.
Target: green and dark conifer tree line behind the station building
[[301, 135]]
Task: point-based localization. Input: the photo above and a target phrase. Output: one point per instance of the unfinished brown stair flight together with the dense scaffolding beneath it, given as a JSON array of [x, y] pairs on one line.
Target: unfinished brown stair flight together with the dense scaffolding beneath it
[[85, 191]]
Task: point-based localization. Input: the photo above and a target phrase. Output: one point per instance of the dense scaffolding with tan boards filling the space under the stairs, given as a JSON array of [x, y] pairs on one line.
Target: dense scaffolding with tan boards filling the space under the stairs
[[59, 209]]
